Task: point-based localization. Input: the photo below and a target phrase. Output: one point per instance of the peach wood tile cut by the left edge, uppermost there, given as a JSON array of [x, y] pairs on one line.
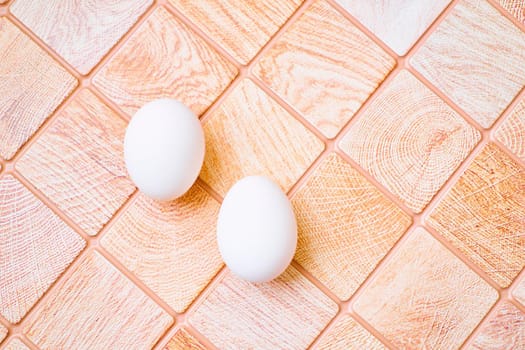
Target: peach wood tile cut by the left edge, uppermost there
[[32, 85]]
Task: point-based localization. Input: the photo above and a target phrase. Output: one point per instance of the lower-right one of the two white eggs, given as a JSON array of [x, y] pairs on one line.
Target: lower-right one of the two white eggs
[[256, 229]]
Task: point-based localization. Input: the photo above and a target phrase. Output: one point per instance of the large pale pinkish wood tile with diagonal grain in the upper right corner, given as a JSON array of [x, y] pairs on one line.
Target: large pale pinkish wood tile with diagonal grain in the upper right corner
[[479, 67]]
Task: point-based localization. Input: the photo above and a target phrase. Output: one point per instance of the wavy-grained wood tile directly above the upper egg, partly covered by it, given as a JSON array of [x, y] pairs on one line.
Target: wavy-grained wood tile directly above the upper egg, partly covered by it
[[164, 58]]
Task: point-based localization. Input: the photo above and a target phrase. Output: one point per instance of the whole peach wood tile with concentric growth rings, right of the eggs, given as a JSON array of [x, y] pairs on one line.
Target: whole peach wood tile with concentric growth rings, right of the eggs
[[410, 140]]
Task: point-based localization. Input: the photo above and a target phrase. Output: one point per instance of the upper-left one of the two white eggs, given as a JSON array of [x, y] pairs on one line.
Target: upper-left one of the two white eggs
[[164, 149]]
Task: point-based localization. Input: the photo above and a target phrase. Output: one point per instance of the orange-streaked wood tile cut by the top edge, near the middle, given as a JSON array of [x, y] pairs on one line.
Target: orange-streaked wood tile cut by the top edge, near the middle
[[241, 28]]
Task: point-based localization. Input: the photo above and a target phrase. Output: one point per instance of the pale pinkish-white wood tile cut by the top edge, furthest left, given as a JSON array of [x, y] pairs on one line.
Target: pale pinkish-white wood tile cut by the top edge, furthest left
[[82, 32]]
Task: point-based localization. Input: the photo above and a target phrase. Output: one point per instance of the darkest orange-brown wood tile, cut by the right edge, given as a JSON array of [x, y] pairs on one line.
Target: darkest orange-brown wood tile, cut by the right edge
[[483, 215]]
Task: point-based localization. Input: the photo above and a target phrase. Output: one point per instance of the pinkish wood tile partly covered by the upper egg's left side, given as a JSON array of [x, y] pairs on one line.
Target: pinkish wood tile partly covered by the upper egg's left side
[[78, 162]]
